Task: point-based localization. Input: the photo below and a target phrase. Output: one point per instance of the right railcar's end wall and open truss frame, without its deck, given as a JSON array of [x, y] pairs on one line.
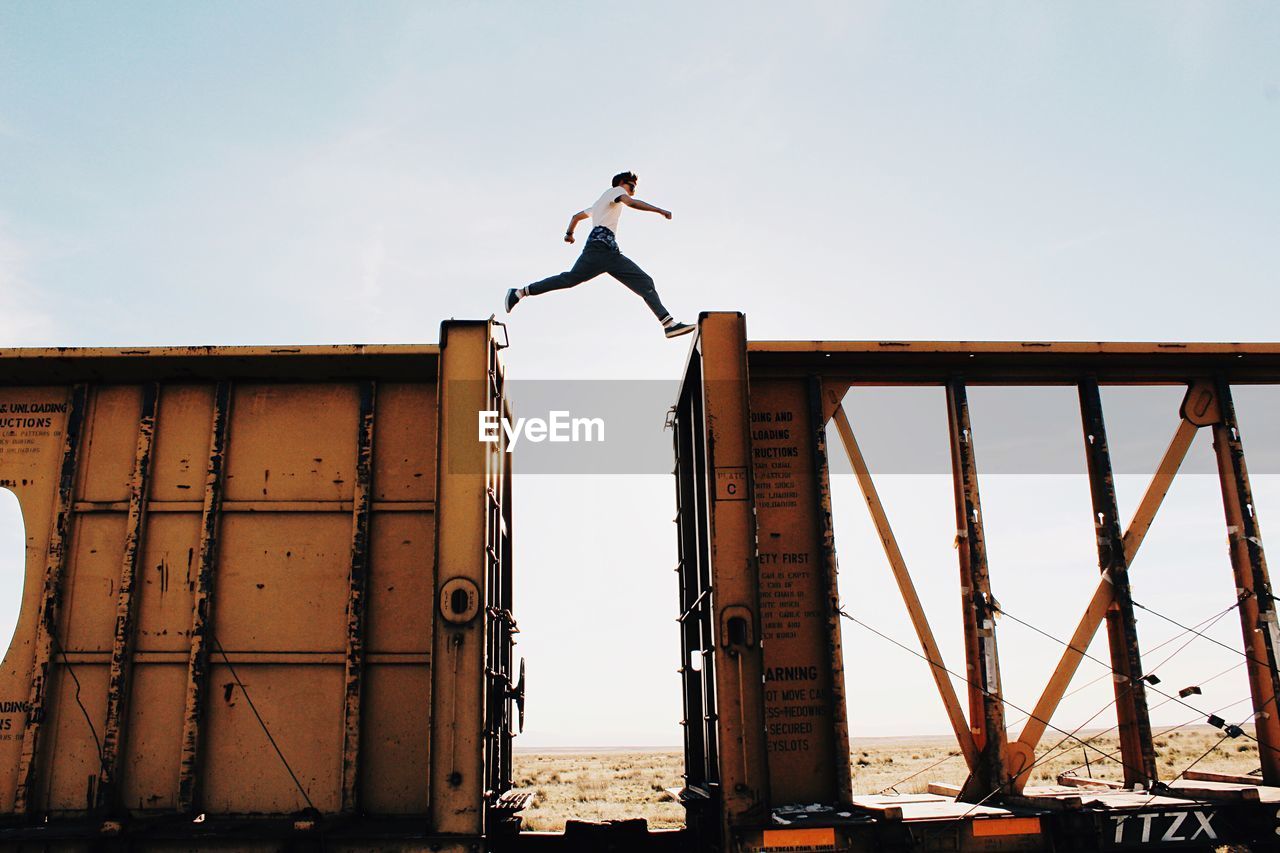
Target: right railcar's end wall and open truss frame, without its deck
[[761, 612]]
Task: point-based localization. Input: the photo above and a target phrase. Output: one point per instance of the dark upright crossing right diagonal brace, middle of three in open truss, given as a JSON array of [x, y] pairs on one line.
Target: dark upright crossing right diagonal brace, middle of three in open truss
[[1137, 751]]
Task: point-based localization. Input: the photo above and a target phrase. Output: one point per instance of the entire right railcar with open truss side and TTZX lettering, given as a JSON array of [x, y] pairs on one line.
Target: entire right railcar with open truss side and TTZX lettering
[[766, 709]]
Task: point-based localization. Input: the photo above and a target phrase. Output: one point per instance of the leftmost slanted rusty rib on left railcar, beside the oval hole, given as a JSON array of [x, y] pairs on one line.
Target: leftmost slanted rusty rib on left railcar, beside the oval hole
[[51, 601]]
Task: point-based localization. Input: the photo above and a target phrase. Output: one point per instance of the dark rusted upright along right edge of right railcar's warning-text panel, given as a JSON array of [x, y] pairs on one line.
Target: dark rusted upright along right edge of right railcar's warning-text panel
[[843, 759]]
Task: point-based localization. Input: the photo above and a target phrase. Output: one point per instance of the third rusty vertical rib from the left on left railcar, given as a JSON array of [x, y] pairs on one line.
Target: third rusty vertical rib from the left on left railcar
[[198, 662]]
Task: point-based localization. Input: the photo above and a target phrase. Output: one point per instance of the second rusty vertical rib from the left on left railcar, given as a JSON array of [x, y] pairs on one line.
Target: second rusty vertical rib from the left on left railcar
[[122, 650]]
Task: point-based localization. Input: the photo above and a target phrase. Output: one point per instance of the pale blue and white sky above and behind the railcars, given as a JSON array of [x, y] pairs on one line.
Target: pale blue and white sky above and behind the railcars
[[323, 172]]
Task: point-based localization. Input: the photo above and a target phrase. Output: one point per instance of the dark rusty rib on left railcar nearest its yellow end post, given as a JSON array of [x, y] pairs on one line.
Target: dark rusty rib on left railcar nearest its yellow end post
[[355, 669]]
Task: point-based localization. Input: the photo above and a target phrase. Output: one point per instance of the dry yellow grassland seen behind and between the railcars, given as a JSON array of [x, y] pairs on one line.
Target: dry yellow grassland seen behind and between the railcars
[[620, 784]]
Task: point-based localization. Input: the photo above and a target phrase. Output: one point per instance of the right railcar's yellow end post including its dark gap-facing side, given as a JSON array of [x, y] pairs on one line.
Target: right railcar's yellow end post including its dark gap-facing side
[[723, 622]]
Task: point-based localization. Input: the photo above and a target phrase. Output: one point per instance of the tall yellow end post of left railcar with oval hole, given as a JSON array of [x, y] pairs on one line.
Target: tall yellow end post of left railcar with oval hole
[[456, 786]]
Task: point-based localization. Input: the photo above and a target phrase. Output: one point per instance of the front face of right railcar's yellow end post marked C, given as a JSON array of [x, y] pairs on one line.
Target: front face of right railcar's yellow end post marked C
[[735, 574]]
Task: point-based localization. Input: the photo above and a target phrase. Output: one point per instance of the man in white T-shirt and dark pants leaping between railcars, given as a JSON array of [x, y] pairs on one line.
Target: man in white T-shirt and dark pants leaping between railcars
[[601, 254]]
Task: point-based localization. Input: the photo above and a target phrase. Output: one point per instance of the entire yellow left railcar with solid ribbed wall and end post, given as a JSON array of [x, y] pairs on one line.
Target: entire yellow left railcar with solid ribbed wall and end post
[[268, 597]]
